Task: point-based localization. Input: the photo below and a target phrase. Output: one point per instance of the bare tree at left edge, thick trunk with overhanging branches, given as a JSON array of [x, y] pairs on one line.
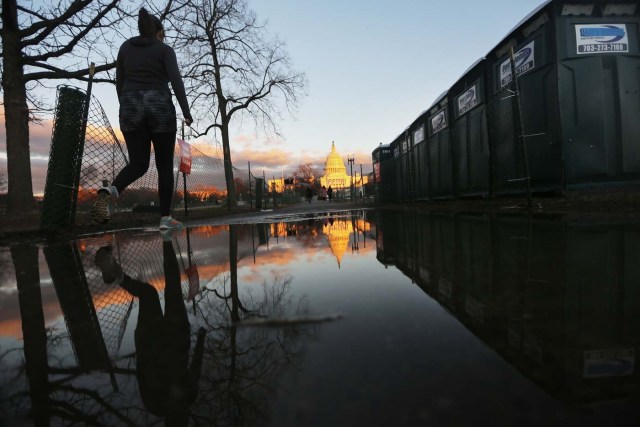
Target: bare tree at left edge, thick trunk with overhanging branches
[[52, 40]]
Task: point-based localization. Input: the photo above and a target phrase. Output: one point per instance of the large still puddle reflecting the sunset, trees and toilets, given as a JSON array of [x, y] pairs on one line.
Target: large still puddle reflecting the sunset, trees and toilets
[[351, 318]]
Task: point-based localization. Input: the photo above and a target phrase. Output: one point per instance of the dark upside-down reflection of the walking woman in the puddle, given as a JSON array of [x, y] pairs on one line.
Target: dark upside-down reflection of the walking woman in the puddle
[[168, 386]]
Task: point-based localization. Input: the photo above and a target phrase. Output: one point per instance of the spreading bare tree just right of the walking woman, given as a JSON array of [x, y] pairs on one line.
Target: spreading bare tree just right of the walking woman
[[232, 68]]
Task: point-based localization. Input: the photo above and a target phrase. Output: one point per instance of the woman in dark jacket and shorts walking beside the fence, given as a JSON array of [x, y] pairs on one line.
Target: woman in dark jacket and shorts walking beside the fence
[[144, 67]]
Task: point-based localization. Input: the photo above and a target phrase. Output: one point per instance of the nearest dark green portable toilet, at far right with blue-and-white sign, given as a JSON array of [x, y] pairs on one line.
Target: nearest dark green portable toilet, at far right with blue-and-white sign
[[599, 90]]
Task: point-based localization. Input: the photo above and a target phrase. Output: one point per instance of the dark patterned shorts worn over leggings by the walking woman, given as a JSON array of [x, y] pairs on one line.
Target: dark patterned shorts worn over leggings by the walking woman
[[151, 110]]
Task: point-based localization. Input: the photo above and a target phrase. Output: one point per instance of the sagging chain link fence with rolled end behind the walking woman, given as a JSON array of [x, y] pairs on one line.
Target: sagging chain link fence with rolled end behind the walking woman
[[86, 154]]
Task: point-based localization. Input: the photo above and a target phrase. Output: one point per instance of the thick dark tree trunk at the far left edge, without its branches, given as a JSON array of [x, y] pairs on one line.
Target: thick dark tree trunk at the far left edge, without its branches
[[20, 187]]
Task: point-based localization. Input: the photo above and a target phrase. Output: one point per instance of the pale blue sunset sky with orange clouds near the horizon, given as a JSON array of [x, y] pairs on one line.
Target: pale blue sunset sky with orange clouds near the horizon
[[372, 67]]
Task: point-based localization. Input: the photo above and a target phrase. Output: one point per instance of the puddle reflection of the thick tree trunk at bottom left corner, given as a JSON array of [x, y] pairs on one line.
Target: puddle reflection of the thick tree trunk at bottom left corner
[[55, 392]]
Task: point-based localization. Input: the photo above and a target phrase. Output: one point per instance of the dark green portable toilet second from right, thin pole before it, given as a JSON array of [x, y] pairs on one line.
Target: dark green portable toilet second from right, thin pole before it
[[532, 42]]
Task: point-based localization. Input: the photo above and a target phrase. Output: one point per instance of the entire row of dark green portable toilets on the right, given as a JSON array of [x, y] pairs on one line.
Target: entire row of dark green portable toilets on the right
[[577, 105]]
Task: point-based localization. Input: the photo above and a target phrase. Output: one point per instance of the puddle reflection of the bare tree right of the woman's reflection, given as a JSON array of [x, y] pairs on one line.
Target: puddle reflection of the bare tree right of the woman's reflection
[[242, 365]]
